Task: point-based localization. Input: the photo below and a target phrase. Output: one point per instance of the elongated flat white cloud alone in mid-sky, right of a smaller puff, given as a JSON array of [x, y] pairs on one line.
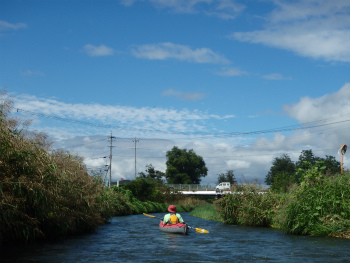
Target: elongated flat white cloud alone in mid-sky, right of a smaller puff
[[163, 51]]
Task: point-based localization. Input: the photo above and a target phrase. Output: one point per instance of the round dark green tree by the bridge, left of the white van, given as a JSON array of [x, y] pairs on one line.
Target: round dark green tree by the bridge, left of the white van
[[184, 167]]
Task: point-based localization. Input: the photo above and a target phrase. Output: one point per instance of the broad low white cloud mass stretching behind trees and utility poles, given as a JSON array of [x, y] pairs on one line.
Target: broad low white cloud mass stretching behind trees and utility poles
[[159, 129]]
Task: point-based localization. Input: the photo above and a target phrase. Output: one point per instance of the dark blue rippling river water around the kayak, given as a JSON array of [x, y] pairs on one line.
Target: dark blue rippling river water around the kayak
[[136, 238]]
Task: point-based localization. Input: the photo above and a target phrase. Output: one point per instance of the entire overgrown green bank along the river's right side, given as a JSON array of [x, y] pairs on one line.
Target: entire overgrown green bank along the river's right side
[[319, 206]]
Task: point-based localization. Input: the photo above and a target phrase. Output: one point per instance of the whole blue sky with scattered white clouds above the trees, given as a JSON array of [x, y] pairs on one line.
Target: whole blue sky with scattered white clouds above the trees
[[239, 82]]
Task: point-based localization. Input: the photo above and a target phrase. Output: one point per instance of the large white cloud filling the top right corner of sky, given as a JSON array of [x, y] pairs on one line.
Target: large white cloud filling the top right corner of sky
[[309, 28]]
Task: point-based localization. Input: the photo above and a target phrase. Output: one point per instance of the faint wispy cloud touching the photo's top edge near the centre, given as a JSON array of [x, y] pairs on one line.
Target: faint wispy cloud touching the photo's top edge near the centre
[[224, 9]]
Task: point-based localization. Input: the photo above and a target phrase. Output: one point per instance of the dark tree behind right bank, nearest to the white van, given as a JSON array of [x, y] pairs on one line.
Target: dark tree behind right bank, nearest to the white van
[[280, 164]]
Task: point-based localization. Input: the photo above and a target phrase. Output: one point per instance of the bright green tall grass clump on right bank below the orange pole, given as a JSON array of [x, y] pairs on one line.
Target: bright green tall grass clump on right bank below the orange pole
[[320, 207]]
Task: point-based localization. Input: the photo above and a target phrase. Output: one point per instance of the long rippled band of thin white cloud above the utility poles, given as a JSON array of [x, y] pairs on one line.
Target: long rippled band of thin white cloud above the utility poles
[[129, 119]]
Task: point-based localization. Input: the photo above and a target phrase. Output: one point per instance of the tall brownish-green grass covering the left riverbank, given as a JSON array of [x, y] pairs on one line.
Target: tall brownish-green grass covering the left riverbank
[[45, 194]]
